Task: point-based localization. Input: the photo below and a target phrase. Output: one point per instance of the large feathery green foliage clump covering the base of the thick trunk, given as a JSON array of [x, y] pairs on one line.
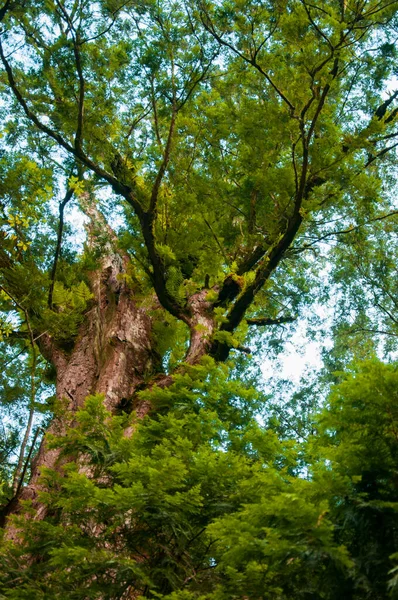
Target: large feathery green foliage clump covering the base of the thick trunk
[[190, 506]]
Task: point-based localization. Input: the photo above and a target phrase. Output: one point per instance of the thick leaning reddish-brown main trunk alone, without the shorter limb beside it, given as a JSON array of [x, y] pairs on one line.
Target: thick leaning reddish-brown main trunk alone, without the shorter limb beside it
[[112, 355]]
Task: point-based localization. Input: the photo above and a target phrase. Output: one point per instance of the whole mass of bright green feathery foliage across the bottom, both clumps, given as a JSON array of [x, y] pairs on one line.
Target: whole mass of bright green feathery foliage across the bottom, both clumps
[[201, 502]]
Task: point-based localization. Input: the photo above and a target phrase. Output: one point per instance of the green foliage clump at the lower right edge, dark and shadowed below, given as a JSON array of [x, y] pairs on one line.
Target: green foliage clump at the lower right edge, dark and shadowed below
[[358, 443]]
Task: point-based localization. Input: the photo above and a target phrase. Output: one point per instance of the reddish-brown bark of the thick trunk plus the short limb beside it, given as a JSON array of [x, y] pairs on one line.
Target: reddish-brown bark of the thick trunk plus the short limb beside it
[[113, 353]]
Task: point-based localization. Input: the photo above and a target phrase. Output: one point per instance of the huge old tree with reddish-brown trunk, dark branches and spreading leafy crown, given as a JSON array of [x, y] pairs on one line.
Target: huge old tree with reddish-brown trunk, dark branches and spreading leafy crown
[[210, 148]]
